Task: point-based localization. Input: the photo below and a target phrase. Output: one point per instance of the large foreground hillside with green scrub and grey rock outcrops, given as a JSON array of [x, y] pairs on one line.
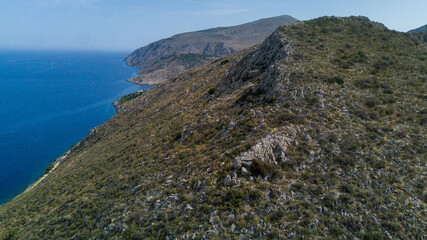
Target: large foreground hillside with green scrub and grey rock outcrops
[[319, 132]]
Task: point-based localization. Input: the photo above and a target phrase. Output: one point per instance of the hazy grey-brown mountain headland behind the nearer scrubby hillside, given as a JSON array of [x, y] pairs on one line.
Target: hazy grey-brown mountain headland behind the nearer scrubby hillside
[[168, 57]]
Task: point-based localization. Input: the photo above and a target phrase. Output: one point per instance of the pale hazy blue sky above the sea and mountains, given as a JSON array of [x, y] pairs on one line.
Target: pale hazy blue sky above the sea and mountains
[[124, 25]]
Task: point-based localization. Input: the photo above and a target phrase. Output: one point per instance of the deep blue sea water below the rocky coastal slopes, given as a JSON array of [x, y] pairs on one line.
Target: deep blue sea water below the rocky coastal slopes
[[49, 100]]
